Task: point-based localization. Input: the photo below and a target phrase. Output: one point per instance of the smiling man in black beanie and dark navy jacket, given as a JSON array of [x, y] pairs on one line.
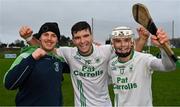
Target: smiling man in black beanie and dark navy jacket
[[37, 72]]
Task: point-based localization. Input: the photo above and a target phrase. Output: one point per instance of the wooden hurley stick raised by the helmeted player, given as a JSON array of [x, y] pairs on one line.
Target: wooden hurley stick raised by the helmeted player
[[141, 15]]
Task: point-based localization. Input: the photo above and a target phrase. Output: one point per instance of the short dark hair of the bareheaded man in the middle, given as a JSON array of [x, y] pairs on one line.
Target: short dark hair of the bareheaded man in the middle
[[80, 26]]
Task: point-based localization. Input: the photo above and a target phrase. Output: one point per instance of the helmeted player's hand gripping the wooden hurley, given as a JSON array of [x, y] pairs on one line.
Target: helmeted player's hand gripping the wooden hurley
[[161, 38]]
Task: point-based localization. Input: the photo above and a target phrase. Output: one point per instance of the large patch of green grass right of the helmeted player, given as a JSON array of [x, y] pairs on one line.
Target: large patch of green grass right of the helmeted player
[[165, 88]]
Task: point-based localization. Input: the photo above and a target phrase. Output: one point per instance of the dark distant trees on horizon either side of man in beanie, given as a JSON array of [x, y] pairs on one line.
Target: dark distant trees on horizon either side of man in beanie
[[65, 41]]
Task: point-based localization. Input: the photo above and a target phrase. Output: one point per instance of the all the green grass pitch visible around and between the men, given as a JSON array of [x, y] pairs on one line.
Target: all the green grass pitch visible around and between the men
[[165, 87]]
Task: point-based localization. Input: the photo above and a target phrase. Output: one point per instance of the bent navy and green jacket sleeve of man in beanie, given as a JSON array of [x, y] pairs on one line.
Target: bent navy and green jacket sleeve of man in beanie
[[20, 70]]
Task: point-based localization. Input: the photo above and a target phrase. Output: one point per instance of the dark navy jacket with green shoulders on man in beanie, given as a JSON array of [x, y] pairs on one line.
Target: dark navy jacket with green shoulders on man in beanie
[[38, 81]]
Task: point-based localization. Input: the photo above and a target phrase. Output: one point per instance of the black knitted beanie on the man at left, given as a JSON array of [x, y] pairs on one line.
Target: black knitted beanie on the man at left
[[49, 26]]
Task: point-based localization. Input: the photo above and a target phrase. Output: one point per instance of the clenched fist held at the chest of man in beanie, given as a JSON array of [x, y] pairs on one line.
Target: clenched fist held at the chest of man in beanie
[[38, 53]]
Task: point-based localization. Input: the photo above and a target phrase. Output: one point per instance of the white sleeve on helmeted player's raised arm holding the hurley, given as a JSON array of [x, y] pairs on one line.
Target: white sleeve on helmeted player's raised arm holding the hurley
[[164, 64]]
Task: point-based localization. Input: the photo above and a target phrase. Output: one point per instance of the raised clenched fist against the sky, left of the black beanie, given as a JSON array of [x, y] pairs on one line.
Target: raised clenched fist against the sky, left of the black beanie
[[25, 32]]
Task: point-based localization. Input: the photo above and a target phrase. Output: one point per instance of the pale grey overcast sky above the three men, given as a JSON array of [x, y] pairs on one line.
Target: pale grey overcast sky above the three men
[[107, 14]]
